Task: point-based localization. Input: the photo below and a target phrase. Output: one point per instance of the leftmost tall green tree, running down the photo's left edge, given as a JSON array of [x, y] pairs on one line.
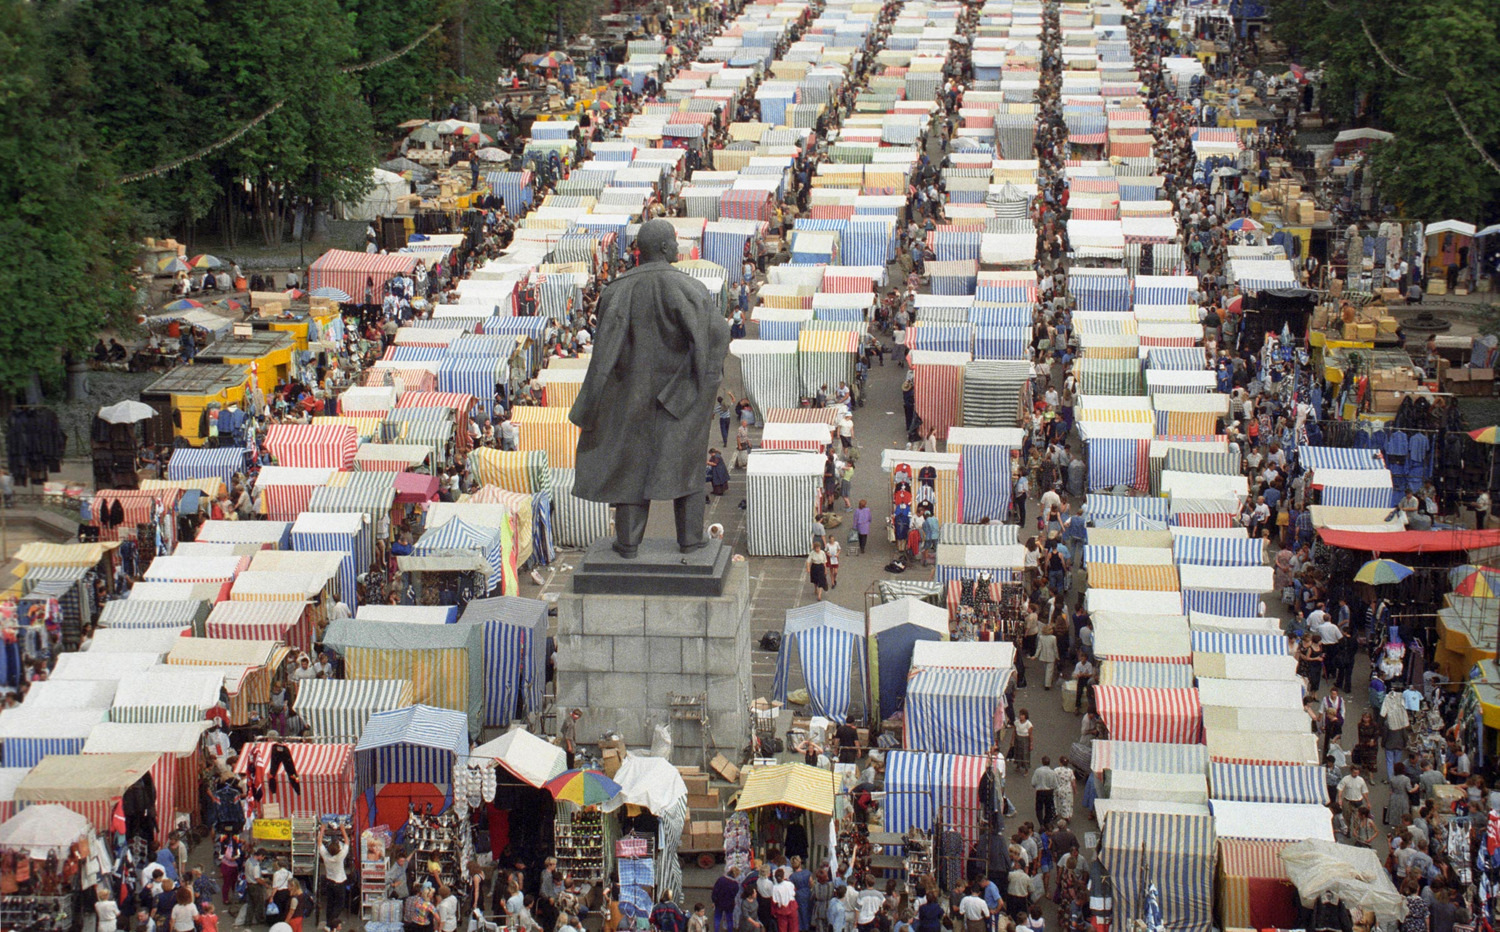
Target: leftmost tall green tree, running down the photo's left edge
[[65, 226]]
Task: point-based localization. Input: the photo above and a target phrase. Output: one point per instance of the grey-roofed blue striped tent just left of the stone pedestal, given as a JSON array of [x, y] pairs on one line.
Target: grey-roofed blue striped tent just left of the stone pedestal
[[515, 634]]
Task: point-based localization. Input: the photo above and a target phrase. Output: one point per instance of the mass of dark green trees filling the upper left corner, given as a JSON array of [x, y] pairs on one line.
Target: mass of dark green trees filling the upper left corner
[[124, 118]]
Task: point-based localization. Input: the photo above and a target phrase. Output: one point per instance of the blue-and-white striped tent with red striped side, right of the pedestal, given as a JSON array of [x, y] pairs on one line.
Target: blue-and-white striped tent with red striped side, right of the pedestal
[[926, 790]]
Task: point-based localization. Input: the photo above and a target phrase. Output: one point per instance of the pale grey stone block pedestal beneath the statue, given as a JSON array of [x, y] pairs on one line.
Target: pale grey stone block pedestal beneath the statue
[[622, 657]]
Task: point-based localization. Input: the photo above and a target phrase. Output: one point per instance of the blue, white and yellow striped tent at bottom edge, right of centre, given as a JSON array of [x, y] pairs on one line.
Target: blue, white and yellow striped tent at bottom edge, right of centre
[[1174, 852]]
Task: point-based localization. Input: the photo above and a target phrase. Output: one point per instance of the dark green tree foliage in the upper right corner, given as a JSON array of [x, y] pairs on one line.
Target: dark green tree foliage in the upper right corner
[[1441, 50]]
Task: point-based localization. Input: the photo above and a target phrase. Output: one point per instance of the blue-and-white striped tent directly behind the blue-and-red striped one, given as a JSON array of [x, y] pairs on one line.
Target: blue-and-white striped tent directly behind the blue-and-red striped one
[[952, 711]]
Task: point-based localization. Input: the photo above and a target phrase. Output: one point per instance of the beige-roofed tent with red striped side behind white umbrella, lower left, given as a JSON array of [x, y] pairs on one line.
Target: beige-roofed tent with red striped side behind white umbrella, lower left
[[89, 784]]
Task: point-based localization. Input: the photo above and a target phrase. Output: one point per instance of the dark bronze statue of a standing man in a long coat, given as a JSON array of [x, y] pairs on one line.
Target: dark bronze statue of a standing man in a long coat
[[649, 395]]
